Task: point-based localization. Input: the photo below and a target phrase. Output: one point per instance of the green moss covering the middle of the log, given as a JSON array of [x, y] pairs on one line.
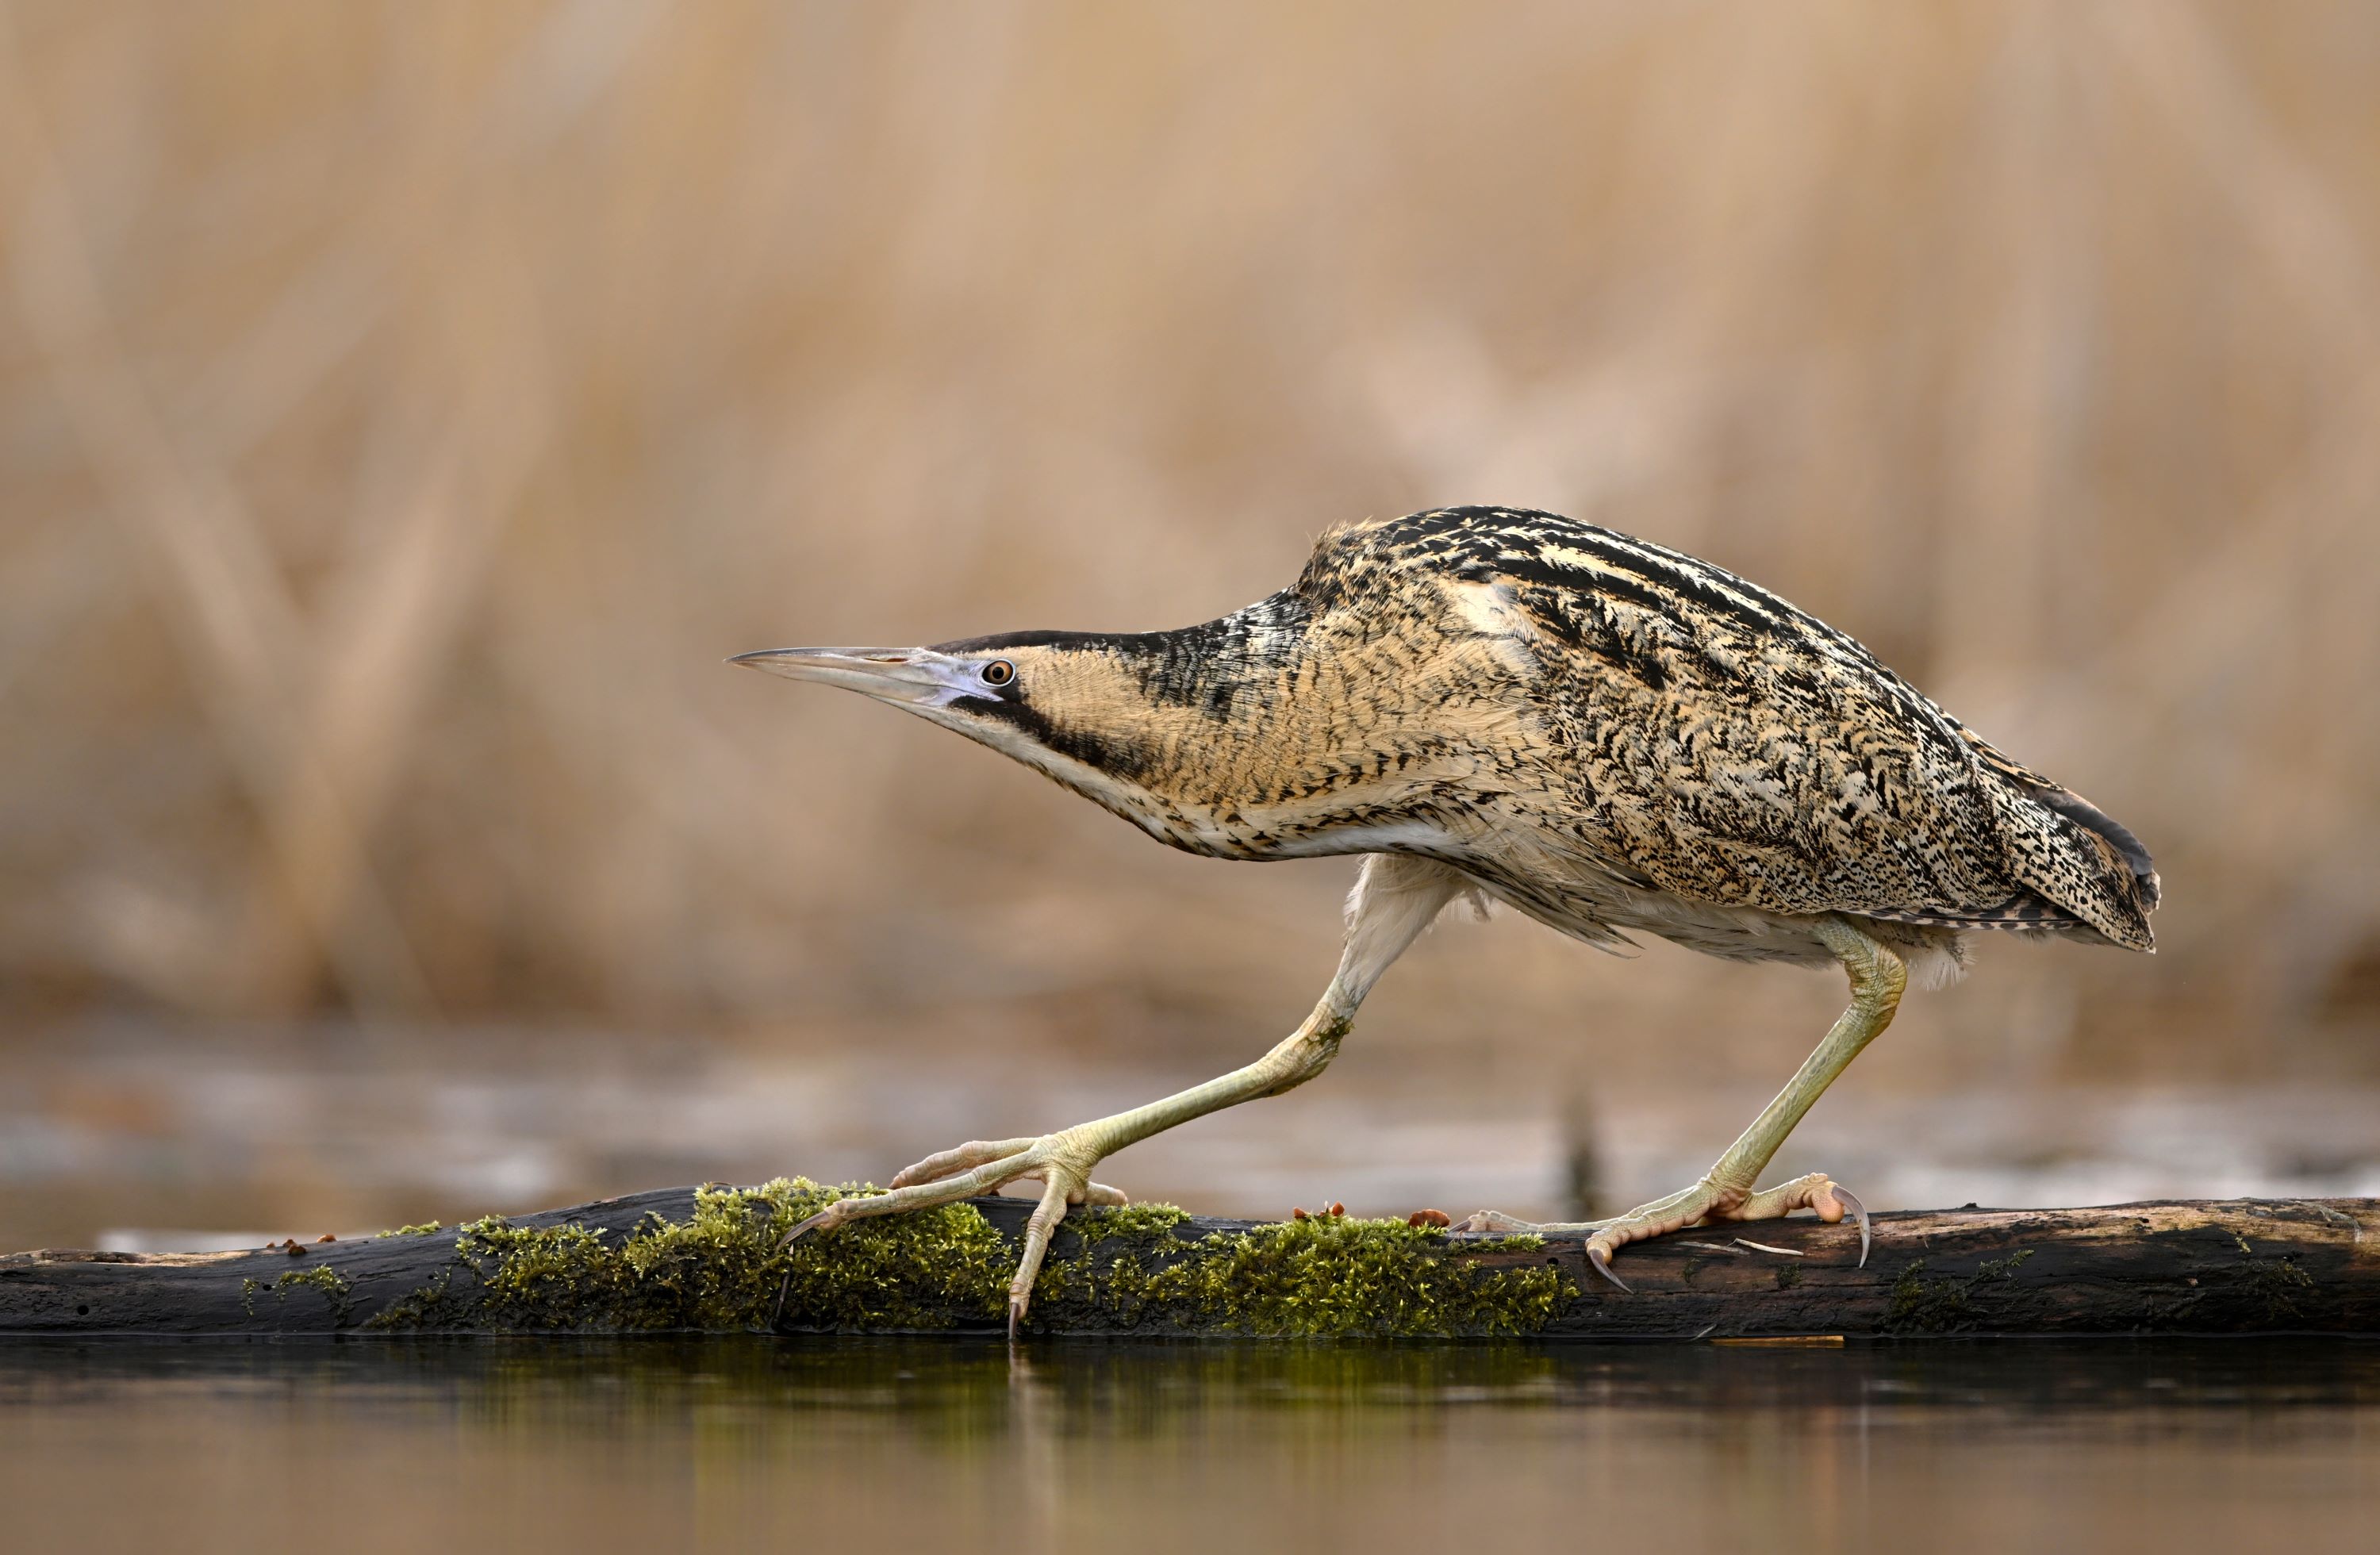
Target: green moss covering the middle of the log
[[1122, 1270]]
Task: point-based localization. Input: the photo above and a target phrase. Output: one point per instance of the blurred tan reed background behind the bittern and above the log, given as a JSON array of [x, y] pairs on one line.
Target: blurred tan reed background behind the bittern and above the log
[[403, 411]]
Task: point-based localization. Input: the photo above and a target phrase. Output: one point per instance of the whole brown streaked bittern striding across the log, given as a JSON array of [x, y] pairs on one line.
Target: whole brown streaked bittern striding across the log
[[1601, 732]]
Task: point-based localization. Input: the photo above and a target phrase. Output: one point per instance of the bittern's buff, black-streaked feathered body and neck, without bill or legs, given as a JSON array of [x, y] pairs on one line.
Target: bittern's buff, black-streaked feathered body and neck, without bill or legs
[[1603, 732]]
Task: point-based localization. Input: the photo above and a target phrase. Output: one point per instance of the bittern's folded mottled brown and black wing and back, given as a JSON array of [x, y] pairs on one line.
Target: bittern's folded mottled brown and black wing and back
[[1736, 749]]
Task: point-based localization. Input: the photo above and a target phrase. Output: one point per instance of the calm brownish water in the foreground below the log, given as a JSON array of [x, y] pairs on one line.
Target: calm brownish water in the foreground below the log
[[1103, 1447]]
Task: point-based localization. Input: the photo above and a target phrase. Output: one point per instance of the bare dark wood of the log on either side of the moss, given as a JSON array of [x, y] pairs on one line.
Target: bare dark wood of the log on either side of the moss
[[2155, 1268]]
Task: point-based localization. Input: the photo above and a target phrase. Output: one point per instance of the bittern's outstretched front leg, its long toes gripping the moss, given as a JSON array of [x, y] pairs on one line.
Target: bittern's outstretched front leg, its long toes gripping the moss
[[1391, 906]]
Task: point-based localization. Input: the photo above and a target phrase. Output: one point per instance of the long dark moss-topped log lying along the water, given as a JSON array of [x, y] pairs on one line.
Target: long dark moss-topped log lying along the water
[[684, 1261]]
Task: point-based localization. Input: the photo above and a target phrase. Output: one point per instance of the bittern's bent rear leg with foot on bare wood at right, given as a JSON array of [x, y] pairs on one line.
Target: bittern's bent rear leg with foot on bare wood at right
[[1727, 1189]]
